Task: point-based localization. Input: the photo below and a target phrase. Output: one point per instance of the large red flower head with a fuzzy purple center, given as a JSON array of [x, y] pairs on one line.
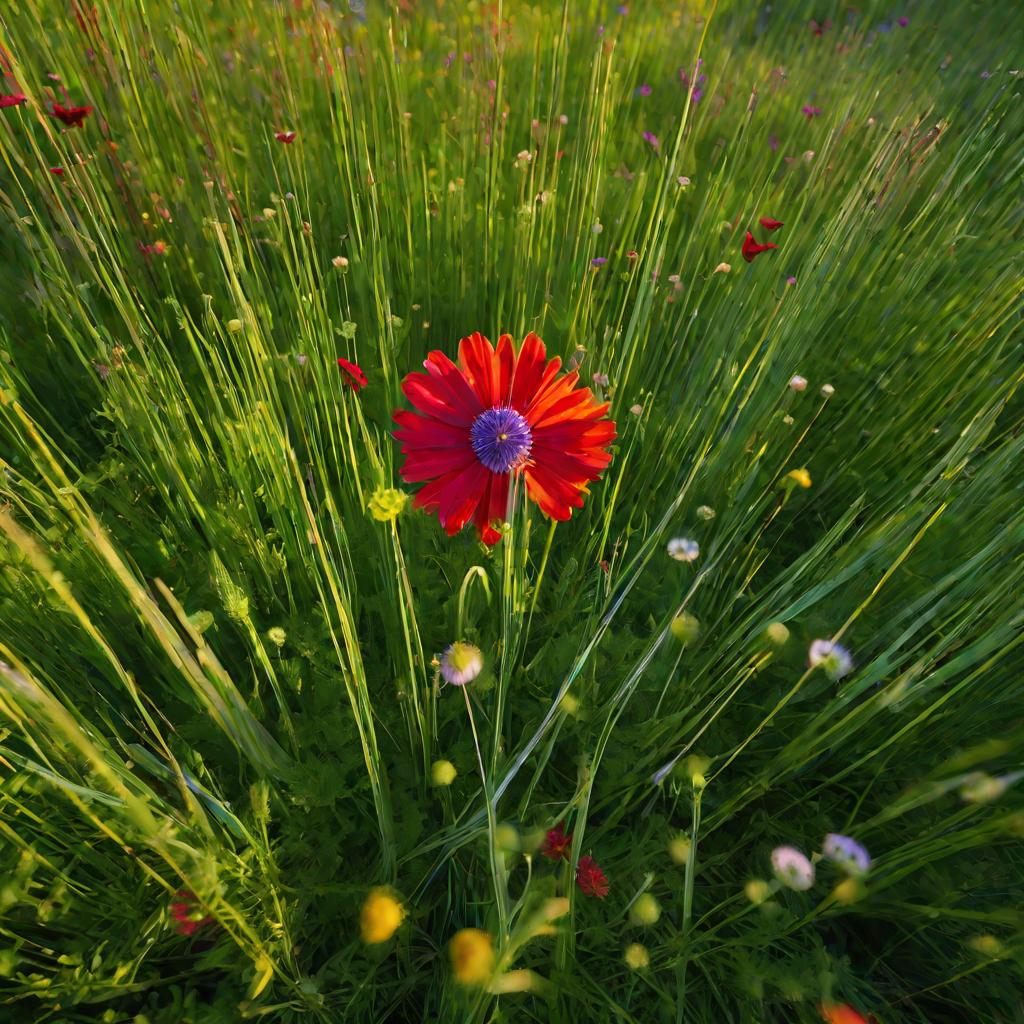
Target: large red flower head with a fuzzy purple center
[[498, 413]]
